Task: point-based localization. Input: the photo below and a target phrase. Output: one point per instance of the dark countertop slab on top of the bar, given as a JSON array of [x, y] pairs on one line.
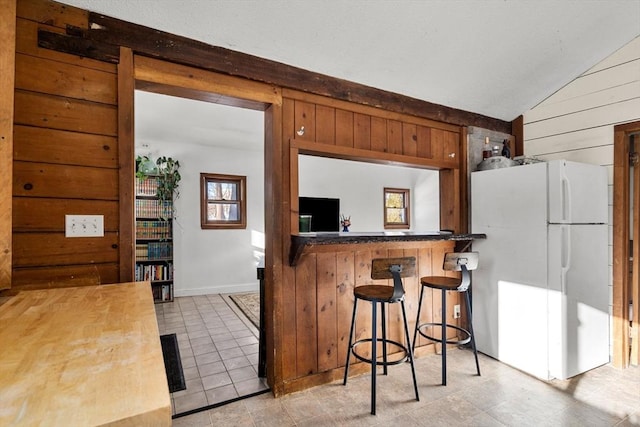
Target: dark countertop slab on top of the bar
[[301, 240]]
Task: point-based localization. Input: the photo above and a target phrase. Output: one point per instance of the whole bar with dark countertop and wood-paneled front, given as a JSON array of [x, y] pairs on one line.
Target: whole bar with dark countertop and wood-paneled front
[[327, 268]]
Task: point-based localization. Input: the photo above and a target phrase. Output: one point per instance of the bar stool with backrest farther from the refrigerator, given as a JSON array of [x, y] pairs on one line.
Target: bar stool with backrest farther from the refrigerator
[[383, 268]]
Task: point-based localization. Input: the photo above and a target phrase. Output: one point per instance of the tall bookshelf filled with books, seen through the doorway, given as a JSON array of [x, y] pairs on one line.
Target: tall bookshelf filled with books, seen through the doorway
[[154, 239]]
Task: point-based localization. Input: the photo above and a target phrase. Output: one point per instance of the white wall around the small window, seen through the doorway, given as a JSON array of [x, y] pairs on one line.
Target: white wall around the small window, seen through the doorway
[[214, 261]]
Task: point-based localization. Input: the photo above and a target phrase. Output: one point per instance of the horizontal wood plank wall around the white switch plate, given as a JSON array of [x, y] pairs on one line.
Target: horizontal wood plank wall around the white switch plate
[[65, 156]]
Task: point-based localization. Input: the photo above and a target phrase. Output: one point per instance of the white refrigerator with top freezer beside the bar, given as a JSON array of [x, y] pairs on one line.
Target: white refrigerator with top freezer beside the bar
[[540, 295]]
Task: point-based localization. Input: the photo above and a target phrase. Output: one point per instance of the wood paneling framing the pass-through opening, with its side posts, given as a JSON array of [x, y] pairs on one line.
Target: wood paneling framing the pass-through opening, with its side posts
[[323, 126]]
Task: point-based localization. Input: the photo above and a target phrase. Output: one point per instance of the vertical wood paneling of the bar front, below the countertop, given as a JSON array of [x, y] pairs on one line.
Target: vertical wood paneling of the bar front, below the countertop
[[319, 294]]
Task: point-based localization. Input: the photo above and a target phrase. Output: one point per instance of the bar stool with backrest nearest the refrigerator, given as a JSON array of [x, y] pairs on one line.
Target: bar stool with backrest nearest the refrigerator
[[453, 261]]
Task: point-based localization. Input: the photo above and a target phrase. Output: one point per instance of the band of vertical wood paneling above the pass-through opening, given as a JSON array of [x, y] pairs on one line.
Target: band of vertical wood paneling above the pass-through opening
[[323, 125]]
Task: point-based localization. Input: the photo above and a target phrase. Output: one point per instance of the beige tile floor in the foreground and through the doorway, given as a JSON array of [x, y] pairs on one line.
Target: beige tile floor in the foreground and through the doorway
[[501, 396]]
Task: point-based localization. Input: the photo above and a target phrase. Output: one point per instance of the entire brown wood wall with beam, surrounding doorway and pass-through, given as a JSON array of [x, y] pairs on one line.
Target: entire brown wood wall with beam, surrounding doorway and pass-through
[[73, 131]]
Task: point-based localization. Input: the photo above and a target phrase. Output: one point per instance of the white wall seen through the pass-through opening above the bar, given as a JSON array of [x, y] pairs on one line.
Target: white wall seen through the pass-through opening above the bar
[[359, 186]]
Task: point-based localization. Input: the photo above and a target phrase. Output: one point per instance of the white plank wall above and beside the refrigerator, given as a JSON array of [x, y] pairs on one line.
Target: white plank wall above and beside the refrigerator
[[576, 123]]
